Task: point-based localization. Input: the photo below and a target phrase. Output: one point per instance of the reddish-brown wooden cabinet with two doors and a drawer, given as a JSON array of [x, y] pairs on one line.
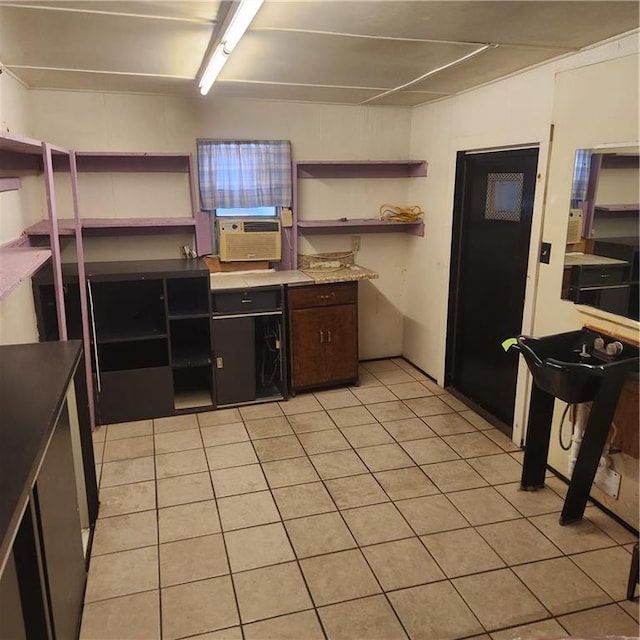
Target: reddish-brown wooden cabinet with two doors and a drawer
[[323, 333]]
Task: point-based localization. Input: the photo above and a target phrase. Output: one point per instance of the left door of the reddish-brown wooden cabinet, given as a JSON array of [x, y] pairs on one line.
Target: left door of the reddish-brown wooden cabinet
[[308, 335]]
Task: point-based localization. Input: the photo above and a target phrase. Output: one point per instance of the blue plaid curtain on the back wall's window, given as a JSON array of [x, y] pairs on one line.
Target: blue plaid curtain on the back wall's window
[[244, 173]]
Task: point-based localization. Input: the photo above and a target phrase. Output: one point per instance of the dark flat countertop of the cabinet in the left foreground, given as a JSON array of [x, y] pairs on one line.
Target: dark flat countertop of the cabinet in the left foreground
[[33, 382]]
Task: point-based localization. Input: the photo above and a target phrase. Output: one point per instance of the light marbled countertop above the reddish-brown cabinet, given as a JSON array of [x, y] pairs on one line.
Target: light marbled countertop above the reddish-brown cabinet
[[245, 280]]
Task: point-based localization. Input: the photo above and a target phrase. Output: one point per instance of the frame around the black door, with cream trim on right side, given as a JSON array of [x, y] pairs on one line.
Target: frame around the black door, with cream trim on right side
[[524, 380]]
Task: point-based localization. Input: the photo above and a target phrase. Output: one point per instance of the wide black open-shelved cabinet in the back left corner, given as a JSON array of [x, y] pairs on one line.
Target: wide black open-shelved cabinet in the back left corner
[[150, 334]]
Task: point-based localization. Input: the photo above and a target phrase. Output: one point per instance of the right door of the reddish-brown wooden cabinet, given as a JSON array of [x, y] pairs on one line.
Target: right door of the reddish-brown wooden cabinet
[[341, 343]]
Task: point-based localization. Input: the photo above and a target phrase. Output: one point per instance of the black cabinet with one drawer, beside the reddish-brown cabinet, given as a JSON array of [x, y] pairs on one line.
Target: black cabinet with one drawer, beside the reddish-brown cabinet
[[249, 345]]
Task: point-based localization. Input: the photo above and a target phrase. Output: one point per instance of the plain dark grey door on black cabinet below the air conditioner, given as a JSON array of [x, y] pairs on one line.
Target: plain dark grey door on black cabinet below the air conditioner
[[234, 362]]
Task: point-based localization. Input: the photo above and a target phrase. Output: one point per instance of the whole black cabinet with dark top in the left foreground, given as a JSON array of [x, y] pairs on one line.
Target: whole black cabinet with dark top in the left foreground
[[49, 492]]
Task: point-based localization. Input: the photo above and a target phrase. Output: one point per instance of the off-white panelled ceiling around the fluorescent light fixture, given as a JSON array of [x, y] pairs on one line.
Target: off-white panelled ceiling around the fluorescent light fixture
[[329, 51]]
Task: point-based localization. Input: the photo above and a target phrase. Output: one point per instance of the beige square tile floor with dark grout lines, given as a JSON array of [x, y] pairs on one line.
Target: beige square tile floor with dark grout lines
[[388, 510]]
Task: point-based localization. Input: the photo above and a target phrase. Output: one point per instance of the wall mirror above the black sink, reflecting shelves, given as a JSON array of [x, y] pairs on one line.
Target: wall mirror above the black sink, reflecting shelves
[[601, 260]]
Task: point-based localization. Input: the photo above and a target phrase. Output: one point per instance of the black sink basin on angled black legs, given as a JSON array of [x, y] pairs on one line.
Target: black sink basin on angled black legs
[[570, 366]]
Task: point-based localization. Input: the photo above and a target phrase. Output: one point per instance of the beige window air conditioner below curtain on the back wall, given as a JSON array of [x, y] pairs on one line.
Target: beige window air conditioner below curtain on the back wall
[[245, 240]]
